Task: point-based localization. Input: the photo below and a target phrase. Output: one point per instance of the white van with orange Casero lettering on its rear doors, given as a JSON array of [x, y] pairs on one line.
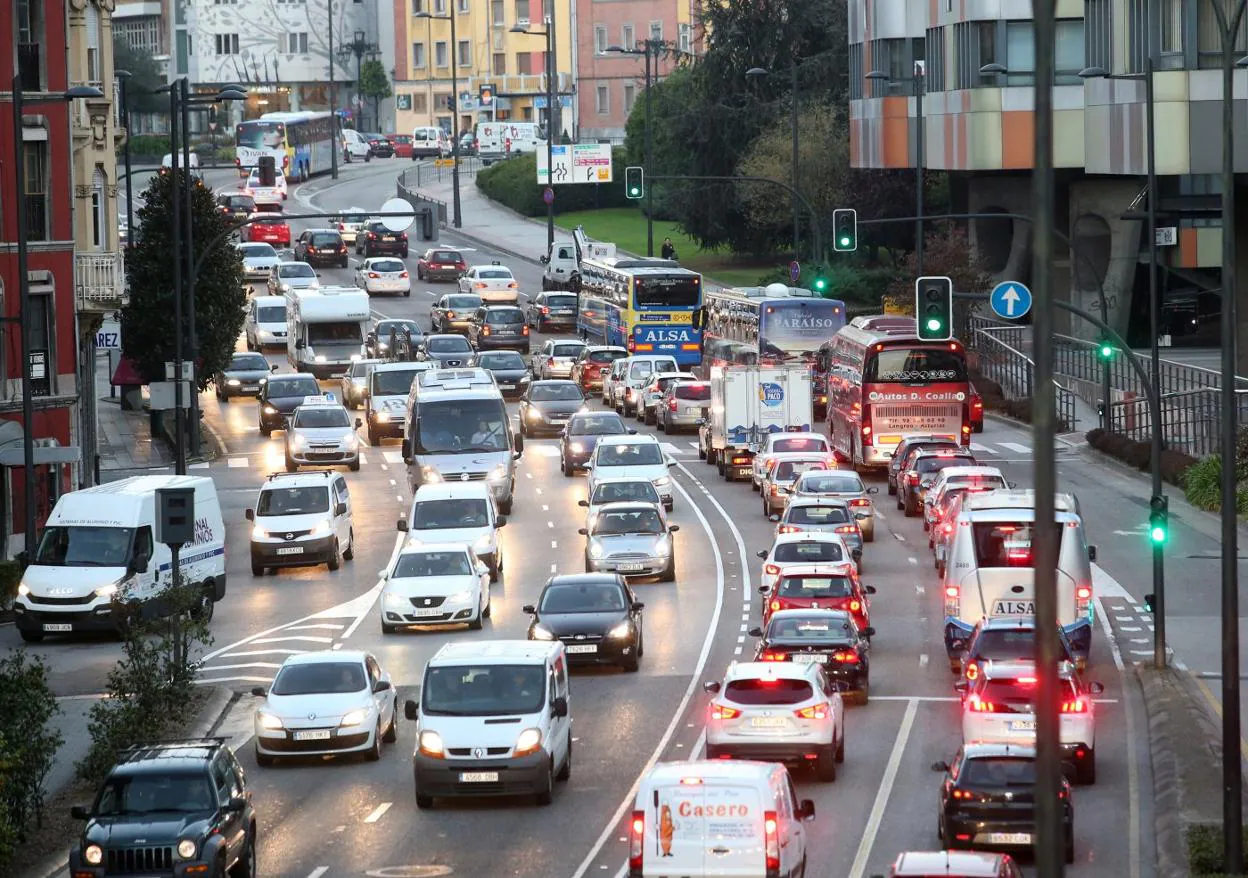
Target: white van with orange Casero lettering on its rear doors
[[718, 819]]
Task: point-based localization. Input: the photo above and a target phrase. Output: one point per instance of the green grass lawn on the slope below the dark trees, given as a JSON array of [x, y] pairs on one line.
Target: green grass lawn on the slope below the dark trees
[[626, 229]]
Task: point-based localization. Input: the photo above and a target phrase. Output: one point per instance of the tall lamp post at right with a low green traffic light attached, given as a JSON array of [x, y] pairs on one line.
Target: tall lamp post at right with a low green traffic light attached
[[1154, 350]]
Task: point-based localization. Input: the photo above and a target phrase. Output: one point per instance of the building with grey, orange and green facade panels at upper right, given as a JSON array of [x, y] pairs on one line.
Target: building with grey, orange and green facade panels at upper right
[[980, 129]]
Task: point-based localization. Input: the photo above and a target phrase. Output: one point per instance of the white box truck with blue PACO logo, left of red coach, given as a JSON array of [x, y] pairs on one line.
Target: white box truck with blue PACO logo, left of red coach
[[748, 403]]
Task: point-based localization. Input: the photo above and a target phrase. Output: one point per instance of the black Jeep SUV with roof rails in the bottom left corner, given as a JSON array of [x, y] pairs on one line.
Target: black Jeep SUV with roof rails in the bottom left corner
[[172, 809]]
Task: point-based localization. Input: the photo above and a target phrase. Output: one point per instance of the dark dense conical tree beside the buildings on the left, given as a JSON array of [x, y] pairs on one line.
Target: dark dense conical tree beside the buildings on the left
[[220, 295]]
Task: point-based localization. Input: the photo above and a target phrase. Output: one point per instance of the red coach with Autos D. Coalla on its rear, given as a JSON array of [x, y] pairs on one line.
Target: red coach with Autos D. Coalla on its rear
[[885, 384]]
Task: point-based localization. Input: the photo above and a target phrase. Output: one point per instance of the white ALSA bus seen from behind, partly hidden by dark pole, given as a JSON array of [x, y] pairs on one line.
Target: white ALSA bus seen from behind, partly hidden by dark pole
[[990, 568]]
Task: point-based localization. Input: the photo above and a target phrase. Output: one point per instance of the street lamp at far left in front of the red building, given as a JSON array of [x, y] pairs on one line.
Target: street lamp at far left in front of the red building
[[28, 398]]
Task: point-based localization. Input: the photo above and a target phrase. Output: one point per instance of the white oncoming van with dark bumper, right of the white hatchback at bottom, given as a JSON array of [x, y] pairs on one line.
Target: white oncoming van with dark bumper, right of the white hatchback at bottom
[[492, 719]]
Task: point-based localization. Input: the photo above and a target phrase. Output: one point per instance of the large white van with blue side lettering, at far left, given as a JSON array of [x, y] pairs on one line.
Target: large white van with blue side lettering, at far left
[[99, 553]]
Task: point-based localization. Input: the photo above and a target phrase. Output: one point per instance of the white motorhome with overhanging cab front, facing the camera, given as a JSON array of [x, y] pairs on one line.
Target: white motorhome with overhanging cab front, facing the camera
[[326, 330]]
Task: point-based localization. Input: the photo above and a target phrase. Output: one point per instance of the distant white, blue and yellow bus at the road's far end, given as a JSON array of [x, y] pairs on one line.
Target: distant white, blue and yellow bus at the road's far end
[[300, 143]]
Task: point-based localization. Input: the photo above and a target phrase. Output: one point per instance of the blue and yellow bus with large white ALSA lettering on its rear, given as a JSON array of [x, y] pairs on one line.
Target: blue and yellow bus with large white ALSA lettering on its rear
[[646, 306]]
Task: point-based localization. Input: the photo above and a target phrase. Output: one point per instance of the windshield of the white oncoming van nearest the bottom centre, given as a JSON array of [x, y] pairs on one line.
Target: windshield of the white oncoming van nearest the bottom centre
[[485, 690]]
